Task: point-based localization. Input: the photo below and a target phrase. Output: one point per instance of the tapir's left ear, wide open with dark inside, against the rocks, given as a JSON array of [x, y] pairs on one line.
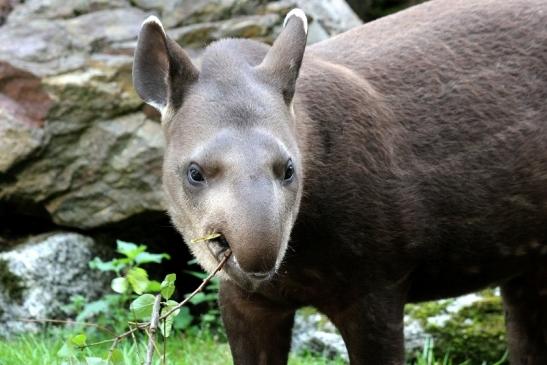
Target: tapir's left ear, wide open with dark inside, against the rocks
[[162, 71]]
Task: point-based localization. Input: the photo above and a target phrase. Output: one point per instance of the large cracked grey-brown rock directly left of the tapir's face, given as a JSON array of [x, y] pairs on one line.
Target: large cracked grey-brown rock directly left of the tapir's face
[[102, 174]]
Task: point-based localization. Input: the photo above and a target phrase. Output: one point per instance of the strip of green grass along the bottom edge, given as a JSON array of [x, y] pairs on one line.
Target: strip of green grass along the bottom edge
[[201, 349]]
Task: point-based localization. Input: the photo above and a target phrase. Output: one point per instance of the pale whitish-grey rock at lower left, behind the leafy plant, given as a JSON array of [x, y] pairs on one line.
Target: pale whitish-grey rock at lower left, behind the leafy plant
[[38, 277]]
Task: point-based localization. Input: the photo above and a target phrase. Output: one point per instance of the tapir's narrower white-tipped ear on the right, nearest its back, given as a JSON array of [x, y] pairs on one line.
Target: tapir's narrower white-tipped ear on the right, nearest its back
[[282, 62]]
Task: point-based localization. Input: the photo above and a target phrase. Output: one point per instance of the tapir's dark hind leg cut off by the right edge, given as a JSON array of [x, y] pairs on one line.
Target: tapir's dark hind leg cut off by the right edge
[[525, 301]]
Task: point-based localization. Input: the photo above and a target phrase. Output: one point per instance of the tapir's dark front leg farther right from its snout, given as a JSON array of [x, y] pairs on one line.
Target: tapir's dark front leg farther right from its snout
[[372, 328]]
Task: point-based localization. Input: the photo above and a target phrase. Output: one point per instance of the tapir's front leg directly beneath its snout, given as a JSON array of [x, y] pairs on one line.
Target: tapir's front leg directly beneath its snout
[[259, 332]]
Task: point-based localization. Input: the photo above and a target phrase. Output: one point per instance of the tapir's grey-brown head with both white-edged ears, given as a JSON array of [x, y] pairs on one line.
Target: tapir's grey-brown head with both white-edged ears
[[232, 162]]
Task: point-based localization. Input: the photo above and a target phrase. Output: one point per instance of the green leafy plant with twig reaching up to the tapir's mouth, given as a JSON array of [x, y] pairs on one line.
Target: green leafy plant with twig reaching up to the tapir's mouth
[[138, 303]]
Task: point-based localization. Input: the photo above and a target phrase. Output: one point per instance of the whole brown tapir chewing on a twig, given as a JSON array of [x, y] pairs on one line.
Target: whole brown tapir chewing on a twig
[[402, 161]]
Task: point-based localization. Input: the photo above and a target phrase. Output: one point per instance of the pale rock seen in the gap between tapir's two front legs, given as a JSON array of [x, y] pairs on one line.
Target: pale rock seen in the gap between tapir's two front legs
[[313, 332]]
